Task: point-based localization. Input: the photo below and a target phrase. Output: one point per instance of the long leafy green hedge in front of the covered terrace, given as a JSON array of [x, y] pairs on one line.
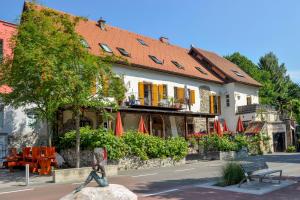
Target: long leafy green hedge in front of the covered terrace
[[131, 144]]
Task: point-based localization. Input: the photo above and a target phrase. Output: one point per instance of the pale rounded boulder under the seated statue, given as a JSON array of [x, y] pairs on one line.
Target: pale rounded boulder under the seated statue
[[112, 192]]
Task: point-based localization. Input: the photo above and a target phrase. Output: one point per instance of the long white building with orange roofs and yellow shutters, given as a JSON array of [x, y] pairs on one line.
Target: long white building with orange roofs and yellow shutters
[[177, 90]]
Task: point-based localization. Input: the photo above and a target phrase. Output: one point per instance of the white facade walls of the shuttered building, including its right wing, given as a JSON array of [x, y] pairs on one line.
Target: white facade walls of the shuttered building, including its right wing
[[238, 93]]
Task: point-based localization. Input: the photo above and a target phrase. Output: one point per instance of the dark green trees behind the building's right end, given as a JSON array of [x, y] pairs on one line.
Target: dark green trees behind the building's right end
[[278, 89]]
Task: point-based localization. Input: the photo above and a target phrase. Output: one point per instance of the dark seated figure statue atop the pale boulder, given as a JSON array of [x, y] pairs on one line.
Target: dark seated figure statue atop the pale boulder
[[98, 168]]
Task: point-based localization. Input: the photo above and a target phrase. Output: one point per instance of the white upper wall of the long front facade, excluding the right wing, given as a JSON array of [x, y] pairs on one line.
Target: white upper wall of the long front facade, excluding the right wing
[[134, 75]]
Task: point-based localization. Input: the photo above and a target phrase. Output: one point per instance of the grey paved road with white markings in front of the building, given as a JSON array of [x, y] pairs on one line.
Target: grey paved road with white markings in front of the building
[[169, 183]]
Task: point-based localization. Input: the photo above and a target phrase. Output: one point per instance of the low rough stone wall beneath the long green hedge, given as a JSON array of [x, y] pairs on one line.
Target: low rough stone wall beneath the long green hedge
[[86, 160]]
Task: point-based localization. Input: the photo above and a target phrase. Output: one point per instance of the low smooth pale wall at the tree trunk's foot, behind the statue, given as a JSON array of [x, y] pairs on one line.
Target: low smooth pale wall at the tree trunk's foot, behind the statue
[[79, 174]]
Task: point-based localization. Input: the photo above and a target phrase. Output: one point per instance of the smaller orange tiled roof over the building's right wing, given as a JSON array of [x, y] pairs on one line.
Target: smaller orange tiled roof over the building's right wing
[[227, 67]]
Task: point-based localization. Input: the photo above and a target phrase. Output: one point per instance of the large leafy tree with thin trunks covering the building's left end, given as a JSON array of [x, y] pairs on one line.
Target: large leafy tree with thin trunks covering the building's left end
[[52, 68]]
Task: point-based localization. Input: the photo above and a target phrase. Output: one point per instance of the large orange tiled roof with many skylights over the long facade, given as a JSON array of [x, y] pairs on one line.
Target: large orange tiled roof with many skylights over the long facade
[[116, 37]]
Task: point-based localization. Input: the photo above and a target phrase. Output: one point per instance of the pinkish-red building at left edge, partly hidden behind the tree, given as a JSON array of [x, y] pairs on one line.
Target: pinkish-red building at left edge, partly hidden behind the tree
[[15, 124]]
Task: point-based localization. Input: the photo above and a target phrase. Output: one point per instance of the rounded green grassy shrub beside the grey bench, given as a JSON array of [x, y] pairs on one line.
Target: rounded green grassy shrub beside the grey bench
[[232, 173]]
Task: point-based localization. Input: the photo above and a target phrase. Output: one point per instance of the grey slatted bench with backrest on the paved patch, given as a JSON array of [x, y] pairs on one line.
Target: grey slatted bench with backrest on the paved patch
[[258, 169]]
